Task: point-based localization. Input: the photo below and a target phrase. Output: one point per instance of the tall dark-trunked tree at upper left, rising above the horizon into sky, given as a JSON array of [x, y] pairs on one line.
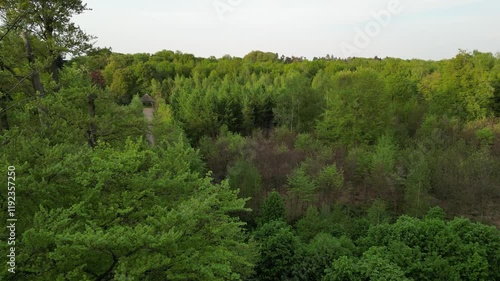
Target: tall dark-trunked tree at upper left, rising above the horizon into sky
[[47, 30]]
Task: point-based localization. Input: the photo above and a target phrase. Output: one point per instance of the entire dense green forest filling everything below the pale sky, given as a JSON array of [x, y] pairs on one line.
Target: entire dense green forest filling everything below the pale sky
[[264, 167]]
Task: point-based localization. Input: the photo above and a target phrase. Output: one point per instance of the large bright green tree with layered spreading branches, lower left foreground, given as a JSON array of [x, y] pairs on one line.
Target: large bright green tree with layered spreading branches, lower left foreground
[[129, 214]]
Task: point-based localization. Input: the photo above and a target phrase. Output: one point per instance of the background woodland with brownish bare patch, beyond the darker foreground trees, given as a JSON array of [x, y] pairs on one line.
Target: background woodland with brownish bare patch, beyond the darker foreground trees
[[413, 133]]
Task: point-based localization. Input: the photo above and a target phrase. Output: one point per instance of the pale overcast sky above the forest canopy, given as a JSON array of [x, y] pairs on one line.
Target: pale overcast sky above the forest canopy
[[426, 29]]
